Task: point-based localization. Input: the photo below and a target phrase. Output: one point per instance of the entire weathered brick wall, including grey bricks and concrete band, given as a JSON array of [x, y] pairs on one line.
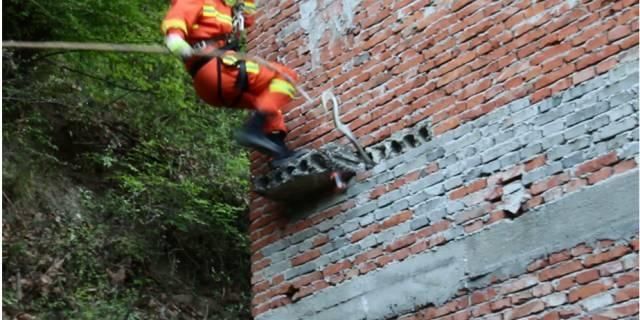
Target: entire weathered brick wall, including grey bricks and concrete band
[[506, 137]]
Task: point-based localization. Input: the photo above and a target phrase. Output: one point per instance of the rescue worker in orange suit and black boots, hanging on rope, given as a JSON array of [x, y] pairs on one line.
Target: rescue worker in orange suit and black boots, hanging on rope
[[192, 25]]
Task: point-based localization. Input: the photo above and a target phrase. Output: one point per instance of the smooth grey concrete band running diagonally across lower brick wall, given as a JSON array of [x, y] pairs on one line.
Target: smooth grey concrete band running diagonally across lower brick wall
[[608, 210]]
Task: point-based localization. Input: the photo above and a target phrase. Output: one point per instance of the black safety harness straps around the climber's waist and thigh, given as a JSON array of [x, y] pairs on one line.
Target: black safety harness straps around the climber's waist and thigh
[[232, 42]]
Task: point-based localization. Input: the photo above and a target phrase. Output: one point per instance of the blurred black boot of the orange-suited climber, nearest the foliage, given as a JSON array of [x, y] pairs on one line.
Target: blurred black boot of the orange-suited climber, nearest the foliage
[[252, 136]]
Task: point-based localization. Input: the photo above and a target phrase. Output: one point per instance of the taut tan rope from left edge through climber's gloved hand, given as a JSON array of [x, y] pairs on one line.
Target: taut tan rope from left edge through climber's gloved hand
[[142, 48]]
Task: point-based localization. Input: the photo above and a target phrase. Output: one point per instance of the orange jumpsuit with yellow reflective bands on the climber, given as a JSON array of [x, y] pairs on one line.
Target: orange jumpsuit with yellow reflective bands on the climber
[[268, 92]]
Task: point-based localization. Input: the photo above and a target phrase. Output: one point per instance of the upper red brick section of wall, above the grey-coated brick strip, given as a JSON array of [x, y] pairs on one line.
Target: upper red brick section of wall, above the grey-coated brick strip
[[456, 64]]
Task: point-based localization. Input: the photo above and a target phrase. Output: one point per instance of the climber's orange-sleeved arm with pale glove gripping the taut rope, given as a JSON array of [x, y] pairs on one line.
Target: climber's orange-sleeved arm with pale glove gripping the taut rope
[[176, 25]]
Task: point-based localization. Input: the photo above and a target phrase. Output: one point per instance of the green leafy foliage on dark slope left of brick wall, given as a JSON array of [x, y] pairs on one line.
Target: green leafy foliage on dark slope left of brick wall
[[155, 176]]
